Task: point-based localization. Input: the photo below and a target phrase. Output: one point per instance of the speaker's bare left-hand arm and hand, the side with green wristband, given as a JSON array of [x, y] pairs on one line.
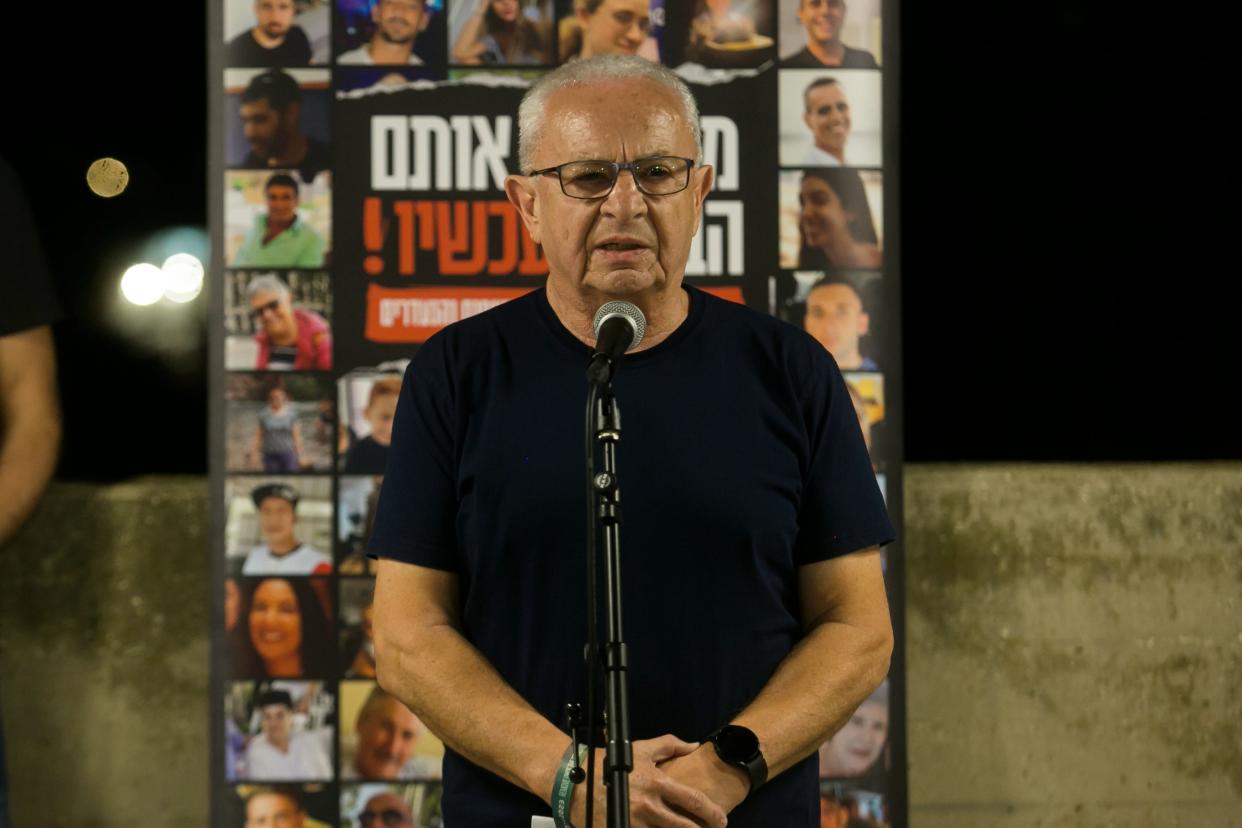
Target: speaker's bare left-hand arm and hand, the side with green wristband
[[423, 660]]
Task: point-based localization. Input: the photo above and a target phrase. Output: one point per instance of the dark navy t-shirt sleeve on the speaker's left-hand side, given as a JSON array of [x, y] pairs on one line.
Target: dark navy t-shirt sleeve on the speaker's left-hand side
[[415, 521]]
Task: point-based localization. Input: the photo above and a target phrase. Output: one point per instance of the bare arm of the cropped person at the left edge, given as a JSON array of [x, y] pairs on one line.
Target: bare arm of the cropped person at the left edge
[[30, 424]]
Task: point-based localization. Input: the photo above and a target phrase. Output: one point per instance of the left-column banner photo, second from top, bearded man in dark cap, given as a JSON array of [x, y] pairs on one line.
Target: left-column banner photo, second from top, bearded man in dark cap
[[278, 120]]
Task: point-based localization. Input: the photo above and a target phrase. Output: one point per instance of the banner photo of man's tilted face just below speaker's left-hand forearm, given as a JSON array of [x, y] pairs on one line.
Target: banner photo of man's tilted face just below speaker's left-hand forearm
[[382, 740]]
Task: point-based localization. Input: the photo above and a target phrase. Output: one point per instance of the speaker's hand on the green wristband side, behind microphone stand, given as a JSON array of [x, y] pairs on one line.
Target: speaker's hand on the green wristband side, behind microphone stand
[[658, 800]]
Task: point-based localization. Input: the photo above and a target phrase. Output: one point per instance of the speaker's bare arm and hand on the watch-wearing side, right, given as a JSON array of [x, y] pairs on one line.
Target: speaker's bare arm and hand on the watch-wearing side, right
[[814, 692]]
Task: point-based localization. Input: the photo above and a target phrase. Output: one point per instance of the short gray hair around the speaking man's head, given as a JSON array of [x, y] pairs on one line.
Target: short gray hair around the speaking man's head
[[598, 70]]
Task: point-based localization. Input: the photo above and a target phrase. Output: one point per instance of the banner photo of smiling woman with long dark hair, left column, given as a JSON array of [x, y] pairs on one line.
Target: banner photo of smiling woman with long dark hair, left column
[[283, 630]]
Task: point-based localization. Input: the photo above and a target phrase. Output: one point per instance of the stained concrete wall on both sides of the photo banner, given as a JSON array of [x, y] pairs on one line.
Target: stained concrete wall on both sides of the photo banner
[[1075, 650]]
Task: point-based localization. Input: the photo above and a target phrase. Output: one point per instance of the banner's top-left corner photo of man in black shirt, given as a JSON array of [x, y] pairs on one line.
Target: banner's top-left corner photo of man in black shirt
[[276, 33]]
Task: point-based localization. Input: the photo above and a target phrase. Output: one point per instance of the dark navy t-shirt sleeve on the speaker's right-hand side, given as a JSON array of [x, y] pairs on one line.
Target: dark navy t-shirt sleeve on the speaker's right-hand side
[[841, 510]]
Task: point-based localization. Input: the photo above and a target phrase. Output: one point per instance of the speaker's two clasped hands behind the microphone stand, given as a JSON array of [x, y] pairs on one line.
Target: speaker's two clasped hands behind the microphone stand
[[674, 785]]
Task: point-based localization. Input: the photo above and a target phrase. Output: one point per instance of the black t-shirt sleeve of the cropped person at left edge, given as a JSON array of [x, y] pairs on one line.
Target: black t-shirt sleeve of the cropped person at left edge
[[27, 296]]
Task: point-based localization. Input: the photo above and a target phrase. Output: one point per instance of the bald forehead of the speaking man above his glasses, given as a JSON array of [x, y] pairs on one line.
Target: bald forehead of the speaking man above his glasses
[[635, 117]]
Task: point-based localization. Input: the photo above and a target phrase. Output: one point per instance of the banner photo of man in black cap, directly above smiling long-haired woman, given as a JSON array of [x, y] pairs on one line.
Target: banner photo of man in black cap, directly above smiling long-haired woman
[[279, 526]]
